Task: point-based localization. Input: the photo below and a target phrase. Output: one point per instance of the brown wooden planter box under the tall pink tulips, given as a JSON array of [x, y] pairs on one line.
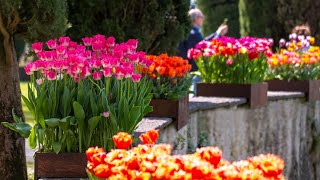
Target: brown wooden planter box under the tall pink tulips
[[63, 165]]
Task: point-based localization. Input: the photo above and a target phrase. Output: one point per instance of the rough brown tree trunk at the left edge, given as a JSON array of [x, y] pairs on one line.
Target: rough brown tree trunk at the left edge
[[12, 149]]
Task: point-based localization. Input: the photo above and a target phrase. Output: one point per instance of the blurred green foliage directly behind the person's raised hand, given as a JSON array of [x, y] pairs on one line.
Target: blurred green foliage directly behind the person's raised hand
[[216, 11]]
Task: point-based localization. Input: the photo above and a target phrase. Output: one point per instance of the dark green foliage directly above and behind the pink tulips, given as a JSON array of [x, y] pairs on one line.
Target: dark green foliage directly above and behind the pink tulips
[[159, 25]]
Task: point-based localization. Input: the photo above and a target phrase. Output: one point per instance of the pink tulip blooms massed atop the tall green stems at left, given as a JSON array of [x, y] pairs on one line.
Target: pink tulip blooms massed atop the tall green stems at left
[[99, 56]]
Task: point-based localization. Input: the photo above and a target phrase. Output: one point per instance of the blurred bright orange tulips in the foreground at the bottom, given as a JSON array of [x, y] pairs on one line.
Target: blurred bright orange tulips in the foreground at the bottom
[[146, 162]]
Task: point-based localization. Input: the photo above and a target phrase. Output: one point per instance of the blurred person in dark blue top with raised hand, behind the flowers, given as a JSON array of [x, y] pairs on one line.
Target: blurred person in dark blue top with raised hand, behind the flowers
[[195, 37]]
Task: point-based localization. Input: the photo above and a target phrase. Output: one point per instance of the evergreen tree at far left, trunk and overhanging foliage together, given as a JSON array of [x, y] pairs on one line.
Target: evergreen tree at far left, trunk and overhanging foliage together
[[32, 20]]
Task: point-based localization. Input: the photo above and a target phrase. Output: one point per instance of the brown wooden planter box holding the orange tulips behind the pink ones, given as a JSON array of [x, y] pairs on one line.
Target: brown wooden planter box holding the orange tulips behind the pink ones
[[176, 109]]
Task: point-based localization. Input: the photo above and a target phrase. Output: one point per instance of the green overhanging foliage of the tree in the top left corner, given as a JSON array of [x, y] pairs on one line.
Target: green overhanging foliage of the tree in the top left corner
[[36, 20]]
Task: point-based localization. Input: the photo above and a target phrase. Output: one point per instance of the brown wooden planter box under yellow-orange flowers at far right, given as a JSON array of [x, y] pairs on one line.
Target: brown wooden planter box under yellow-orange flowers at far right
[[310, 87]]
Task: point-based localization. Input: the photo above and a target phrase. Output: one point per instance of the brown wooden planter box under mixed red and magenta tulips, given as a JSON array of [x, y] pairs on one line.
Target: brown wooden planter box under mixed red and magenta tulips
[[257, 94]]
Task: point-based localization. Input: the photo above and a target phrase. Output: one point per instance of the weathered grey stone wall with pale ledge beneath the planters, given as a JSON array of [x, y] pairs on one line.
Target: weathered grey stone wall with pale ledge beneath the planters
[[287, 126]]
